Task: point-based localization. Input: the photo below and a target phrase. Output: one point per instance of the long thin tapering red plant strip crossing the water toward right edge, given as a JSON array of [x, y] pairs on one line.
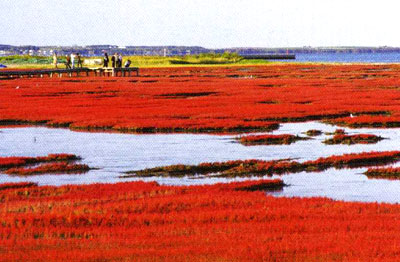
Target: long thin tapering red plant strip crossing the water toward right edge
[[261, 168]]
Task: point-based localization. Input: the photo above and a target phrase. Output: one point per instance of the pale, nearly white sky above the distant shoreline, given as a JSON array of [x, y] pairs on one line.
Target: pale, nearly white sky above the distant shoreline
[[207, 23]]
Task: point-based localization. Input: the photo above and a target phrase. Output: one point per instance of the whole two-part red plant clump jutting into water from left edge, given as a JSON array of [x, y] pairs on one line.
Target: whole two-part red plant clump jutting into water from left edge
[[53, 163]]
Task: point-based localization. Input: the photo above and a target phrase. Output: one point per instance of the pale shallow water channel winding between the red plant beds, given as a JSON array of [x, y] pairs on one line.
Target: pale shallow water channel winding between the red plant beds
[[112, 154]]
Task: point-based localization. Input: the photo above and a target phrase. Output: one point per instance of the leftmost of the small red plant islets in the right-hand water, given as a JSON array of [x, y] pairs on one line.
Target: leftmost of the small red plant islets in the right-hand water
[[285, 139]]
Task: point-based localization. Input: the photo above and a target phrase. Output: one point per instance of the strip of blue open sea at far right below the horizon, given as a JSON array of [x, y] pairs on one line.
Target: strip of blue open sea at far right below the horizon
[[393, 57]]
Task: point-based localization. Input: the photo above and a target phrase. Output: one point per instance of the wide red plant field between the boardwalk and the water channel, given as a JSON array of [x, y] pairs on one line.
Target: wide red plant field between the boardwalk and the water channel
[[213, 99]]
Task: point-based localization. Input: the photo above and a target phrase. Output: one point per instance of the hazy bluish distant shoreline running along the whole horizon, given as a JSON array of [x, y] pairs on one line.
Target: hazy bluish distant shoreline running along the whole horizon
[[98, 50]]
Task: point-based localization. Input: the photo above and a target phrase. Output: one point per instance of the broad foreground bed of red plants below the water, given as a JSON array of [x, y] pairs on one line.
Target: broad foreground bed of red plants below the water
[[147, 222]]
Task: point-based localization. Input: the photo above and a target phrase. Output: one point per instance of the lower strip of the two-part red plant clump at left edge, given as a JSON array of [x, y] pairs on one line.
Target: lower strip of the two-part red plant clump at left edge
[[60, 168]]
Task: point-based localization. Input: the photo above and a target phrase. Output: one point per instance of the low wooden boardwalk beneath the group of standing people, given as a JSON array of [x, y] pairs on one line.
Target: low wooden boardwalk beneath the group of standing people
[[102, 71]]
